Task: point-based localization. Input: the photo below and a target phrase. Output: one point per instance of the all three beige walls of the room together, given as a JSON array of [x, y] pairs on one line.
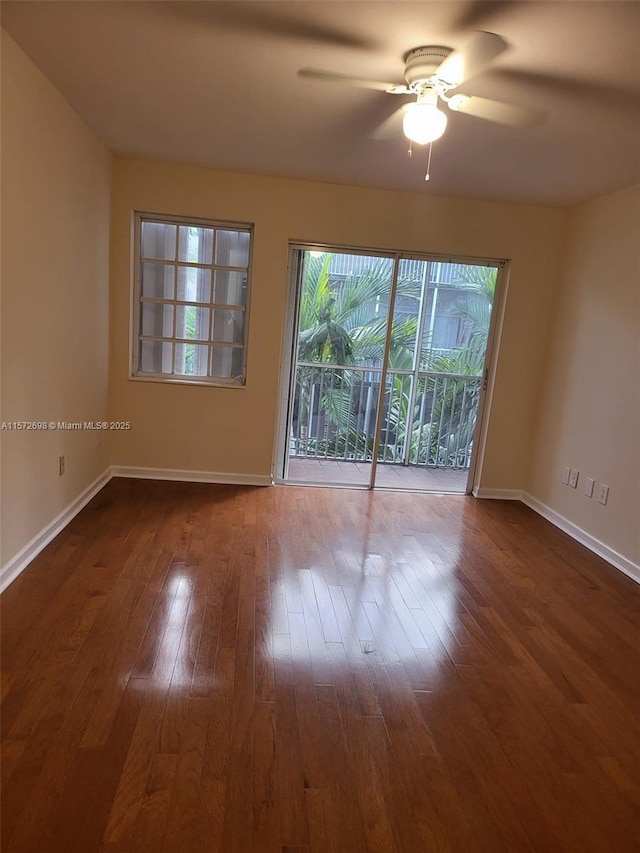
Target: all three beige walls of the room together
[[566, 388]]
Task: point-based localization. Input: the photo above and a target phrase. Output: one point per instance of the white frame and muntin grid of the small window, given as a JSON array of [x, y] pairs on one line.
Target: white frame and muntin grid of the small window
[[135, 372]]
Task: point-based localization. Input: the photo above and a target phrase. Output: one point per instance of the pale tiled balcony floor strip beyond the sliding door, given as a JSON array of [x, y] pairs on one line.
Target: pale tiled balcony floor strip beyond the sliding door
[[321, 471]]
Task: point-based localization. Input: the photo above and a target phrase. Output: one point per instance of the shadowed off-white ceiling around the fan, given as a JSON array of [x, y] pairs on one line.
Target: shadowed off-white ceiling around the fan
[[214, 83]]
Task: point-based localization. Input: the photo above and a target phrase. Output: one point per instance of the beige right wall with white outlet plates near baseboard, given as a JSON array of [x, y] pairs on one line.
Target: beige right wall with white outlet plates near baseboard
[[590, 400]]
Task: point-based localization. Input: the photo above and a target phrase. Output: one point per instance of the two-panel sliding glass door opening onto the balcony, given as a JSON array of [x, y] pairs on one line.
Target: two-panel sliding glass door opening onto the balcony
[[387, 370]]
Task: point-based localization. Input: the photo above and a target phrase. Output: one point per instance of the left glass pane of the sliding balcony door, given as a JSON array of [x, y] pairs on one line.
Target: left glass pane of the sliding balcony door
[[337, 371]]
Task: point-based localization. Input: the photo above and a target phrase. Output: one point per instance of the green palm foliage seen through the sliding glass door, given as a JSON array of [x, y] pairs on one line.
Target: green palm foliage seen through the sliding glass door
[[346, 325]]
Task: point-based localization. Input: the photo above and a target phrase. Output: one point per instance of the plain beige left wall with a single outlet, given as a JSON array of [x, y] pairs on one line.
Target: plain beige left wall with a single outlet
[[55, 233]]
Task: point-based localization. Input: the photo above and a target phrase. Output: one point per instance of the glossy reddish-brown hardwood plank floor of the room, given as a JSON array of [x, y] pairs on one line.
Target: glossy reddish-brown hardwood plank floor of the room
[[208, 668]]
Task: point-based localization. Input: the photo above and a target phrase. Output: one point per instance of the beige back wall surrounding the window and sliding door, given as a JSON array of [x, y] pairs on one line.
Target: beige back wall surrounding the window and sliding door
[[232, 430]]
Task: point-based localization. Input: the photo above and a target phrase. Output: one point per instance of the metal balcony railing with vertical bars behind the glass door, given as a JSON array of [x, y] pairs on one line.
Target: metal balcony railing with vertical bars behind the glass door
[[428, 418]]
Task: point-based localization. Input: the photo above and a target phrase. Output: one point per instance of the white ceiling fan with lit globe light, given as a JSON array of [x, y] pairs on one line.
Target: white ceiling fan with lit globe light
[[430, 73]]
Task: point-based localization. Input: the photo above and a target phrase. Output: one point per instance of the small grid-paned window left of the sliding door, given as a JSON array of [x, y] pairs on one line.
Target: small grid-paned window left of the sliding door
[[191, 287]]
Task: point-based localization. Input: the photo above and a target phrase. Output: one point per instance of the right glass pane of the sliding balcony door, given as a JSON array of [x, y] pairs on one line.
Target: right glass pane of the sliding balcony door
[[430, 412]]
